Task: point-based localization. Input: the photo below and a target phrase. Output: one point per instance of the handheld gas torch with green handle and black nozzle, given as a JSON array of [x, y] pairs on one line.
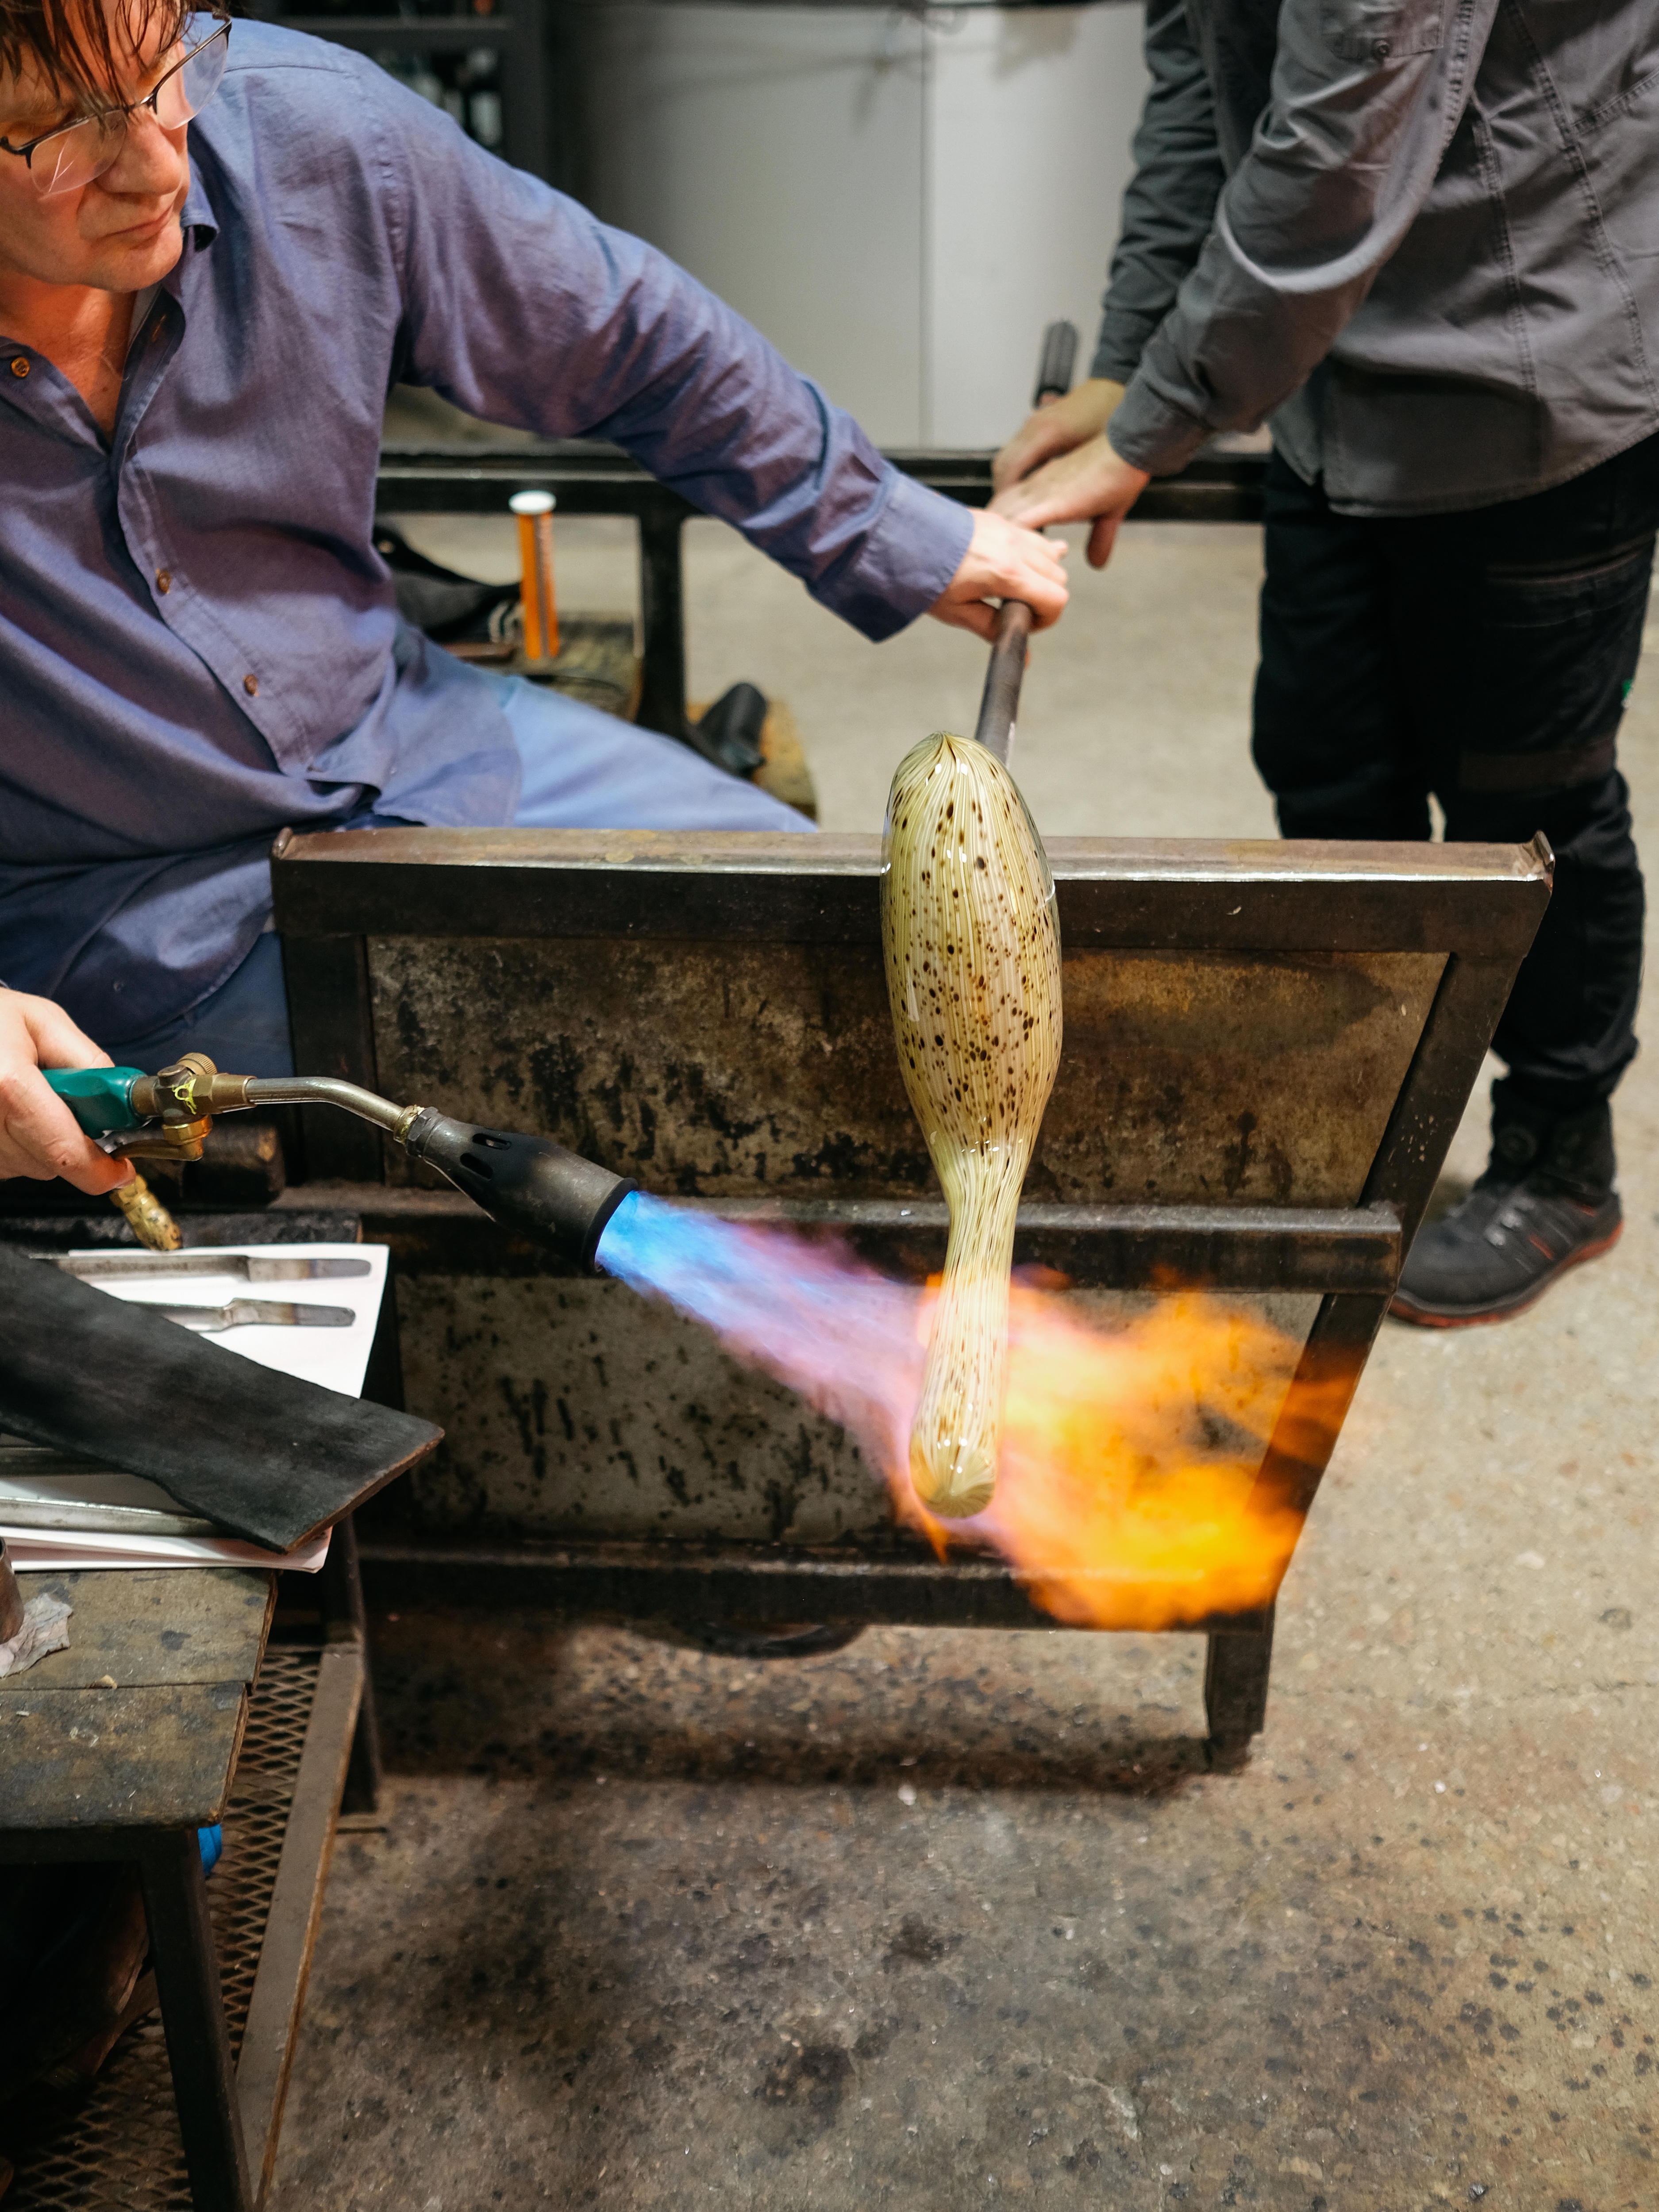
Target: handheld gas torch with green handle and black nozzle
[[528, 1182]]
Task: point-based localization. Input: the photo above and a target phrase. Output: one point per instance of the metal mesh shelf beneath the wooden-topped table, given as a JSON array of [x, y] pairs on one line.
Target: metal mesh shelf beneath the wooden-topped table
[[121, 2149]]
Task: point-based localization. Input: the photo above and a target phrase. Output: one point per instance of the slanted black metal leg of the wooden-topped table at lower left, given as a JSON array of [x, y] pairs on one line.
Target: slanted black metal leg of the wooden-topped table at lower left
[[194, 2014]]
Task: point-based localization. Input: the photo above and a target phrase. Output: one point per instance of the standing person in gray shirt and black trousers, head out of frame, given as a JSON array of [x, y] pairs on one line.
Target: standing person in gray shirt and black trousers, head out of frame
[[1419, 240]]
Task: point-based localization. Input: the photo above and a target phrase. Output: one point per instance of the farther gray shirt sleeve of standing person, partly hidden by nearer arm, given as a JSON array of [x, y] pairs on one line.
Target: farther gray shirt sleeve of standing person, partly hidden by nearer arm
[[1171, 198]]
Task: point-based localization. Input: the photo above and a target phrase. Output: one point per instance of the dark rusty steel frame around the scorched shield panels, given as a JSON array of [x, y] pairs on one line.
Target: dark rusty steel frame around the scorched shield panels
[[1477, 906]]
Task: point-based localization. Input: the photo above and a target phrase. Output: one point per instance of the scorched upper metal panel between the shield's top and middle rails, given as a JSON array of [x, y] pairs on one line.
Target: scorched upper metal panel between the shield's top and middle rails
[[731, 1070]]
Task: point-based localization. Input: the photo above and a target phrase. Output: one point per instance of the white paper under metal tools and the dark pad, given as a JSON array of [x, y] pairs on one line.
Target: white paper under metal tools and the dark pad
[[70, 1514]]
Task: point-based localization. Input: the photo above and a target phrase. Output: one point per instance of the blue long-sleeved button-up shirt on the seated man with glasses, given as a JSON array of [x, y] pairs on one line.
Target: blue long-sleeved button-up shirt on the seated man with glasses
[[198, 640]]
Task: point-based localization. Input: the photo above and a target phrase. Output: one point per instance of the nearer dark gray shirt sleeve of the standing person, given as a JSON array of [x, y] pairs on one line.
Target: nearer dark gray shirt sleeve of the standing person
[[1366, 98]]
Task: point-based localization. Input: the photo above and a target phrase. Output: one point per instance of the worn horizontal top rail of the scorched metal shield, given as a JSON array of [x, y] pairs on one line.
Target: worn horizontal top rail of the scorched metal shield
[[340, 888]]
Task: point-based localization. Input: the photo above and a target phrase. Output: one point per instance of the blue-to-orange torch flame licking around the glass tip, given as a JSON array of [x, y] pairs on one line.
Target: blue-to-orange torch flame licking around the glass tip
[[1129, 1492]]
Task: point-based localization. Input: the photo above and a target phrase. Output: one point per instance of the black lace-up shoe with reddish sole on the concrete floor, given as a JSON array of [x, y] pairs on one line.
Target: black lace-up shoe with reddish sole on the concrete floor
[[1543, 1207]]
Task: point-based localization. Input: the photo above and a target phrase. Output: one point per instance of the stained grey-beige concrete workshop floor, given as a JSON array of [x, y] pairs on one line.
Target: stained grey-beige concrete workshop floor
[[957, 1919]]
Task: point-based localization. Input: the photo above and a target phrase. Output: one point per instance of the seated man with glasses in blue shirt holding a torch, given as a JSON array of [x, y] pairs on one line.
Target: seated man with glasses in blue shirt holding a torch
[[198, 643]]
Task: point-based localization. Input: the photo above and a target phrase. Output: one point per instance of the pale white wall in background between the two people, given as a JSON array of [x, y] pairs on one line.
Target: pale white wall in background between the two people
[[897, 202]]
